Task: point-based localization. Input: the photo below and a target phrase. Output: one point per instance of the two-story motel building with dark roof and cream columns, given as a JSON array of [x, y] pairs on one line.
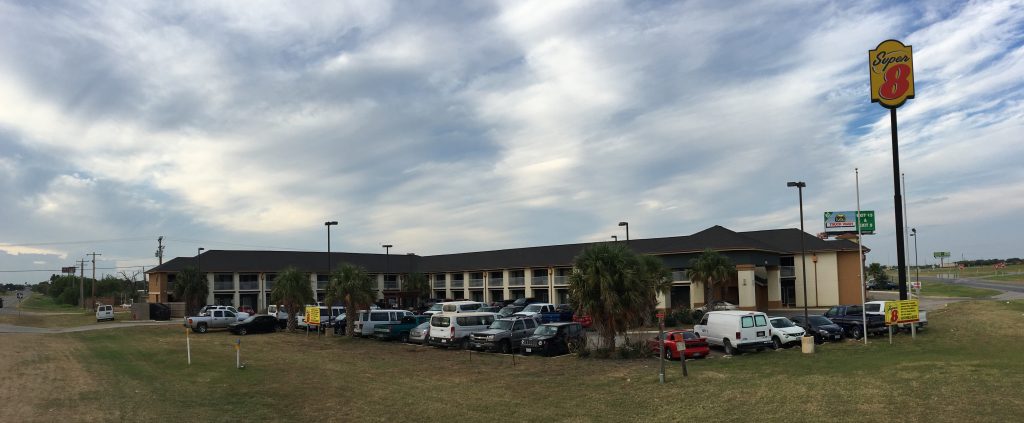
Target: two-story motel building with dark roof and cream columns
[[769, 272]]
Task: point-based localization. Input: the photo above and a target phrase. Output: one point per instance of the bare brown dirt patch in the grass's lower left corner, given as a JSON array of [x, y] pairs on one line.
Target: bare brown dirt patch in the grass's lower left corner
[[44, 382]]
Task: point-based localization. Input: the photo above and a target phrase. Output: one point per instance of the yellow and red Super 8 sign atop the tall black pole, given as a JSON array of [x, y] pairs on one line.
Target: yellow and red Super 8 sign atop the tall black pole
[[891, 67]]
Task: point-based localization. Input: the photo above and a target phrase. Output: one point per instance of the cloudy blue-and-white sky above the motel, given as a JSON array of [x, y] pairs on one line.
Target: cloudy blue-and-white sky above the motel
[[446, 126]]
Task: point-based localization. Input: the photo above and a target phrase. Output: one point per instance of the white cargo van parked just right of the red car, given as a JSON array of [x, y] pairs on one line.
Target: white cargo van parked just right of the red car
[[736, 330]]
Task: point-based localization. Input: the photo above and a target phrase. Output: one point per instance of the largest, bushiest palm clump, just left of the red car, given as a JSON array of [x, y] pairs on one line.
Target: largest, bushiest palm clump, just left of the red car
[[617, 287]]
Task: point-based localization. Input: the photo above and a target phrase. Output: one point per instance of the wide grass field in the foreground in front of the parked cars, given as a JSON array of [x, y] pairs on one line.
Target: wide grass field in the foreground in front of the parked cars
[[963, 368]]
